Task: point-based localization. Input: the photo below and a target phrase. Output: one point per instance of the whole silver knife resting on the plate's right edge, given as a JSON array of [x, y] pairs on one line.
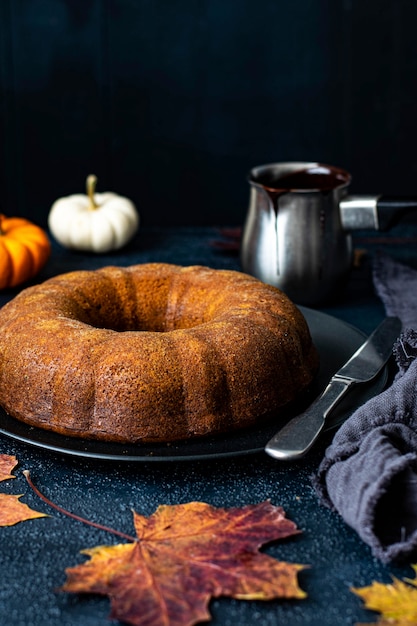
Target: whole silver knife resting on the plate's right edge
[[297, 437]]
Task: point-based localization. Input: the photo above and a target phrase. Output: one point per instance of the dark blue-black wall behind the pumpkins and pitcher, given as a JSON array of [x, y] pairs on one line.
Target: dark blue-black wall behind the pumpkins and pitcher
[[170, 102]]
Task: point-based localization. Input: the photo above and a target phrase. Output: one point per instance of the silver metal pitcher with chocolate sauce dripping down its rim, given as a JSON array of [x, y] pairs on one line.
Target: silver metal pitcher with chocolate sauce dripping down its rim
[[297, 231]]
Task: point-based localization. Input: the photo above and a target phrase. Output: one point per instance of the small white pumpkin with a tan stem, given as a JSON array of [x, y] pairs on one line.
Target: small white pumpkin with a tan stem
[[96, 222]]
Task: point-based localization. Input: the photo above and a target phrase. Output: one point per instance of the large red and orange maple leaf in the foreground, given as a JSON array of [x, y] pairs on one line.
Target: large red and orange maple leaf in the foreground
[[186, 554]]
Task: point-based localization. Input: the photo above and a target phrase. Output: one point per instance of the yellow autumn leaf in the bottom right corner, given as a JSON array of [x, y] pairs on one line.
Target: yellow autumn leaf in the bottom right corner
[[397, 602]]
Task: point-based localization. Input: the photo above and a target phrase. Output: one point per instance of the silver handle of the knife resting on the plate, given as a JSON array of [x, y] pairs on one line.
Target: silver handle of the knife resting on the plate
[[298, 436]]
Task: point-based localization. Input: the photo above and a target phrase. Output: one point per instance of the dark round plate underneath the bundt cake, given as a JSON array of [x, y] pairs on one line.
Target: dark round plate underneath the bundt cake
[[335, 340]]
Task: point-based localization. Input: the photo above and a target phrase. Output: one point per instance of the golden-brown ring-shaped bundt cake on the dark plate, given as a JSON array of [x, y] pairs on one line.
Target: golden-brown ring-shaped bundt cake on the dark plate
[[152, 352]]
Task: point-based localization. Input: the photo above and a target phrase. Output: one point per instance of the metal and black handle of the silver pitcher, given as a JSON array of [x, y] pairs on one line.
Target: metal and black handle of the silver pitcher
[[379, 212]]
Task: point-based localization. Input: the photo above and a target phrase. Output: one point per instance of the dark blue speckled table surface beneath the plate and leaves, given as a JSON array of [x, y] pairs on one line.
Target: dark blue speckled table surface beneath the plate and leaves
[[34, 554]]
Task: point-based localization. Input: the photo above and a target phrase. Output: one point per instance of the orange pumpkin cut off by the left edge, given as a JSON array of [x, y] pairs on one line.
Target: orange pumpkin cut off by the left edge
[[24, 250]]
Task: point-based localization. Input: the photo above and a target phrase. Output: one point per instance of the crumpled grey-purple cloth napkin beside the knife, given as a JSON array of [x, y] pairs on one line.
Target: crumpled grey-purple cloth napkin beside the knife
[[369, 472]]
